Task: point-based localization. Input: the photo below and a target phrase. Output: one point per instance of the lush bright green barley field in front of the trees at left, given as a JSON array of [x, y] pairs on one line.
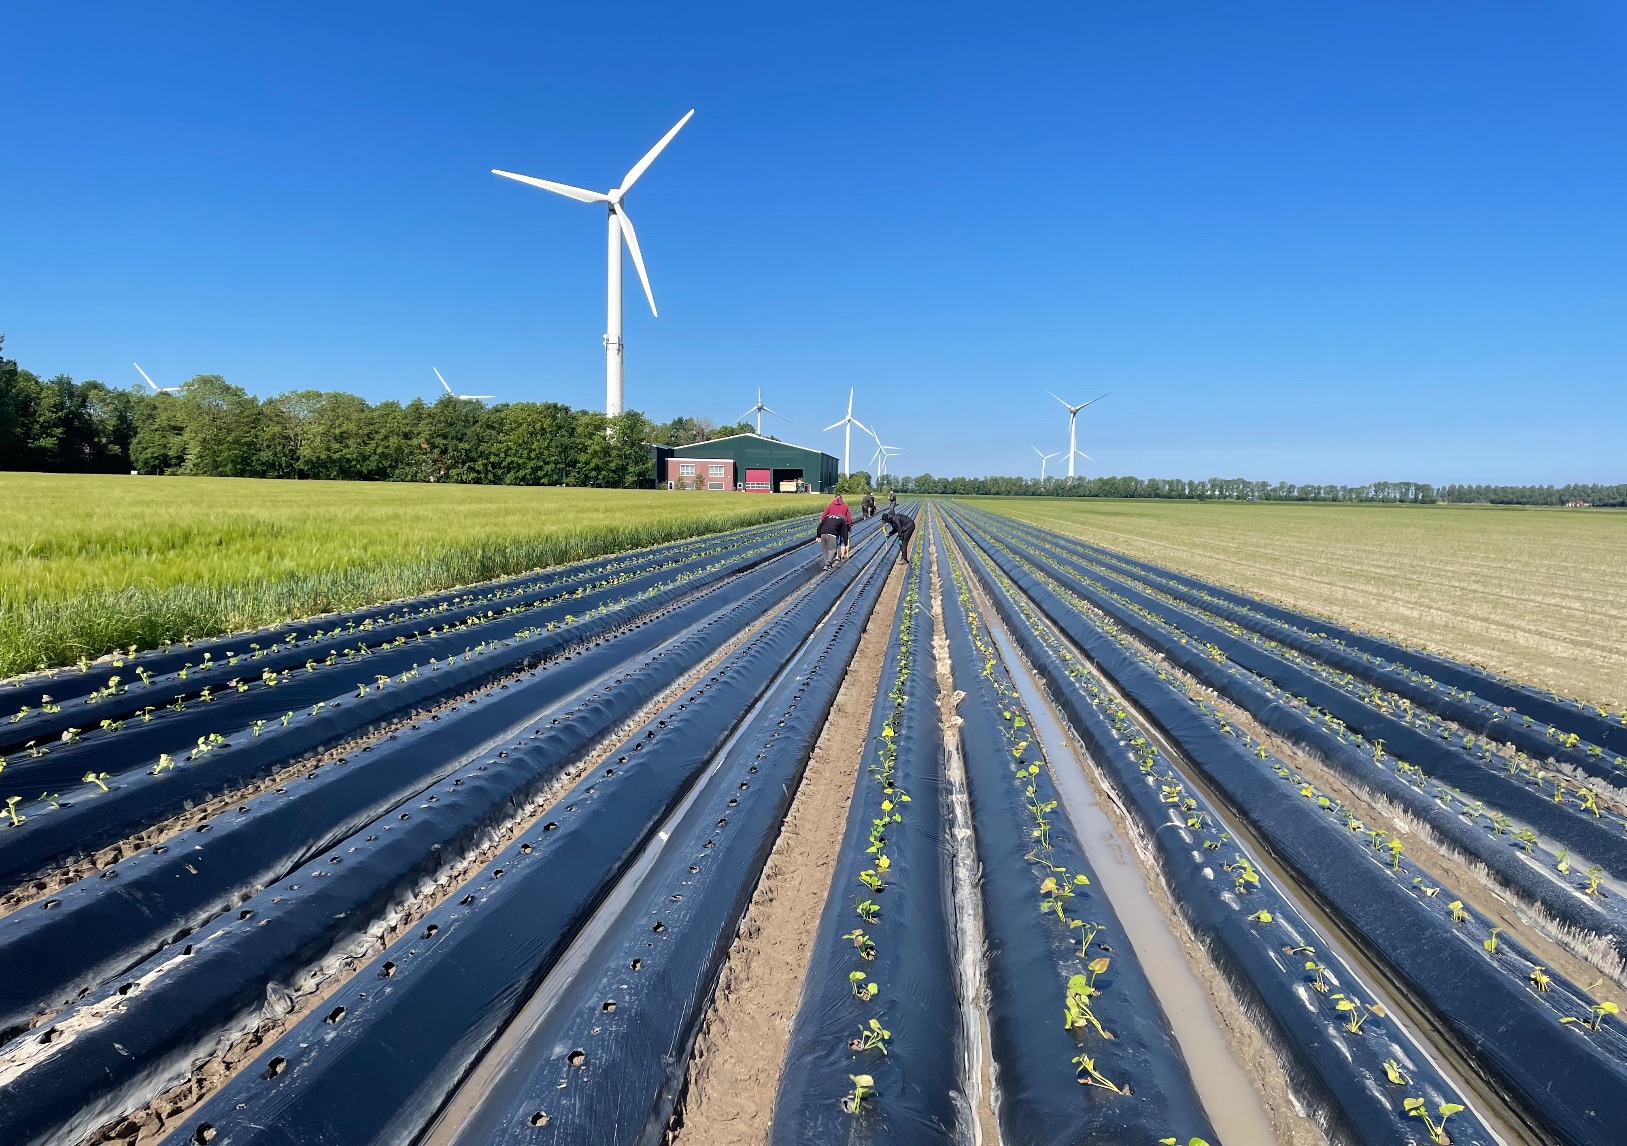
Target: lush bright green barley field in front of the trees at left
[[98, 562]]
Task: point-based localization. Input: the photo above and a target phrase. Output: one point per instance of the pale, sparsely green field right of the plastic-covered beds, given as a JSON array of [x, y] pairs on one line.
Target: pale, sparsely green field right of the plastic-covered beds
[[1537, 593]]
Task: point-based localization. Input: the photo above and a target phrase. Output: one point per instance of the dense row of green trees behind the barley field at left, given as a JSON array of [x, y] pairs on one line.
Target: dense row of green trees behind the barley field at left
[[216, 429]]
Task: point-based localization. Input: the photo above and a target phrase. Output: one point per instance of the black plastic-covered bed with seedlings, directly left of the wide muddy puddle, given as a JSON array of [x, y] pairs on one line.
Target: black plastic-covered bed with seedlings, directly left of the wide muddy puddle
[[1083, 1051]]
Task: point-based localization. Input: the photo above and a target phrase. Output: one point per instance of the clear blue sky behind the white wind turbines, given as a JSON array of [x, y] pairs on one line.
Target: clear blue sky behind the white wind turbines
[[1307, 242]]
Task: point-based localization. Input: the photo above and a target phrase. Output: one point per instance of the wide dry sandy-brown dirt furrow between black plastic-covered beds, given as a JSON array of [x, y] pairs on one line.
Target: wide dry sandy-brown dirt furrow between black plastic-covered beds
[[735, 1074]]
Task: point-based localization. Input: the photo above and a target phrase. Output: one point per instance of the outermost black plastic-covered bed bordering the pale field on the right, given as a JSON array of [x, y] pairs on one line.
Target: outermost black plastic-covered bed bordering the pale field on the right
[[1465, 711]]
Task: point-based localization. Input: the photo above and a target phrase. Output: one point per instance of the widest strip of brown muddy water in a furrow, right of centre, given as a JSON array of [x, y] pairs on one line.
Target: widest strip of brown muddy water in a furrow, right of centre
[[1224, 1088]]
